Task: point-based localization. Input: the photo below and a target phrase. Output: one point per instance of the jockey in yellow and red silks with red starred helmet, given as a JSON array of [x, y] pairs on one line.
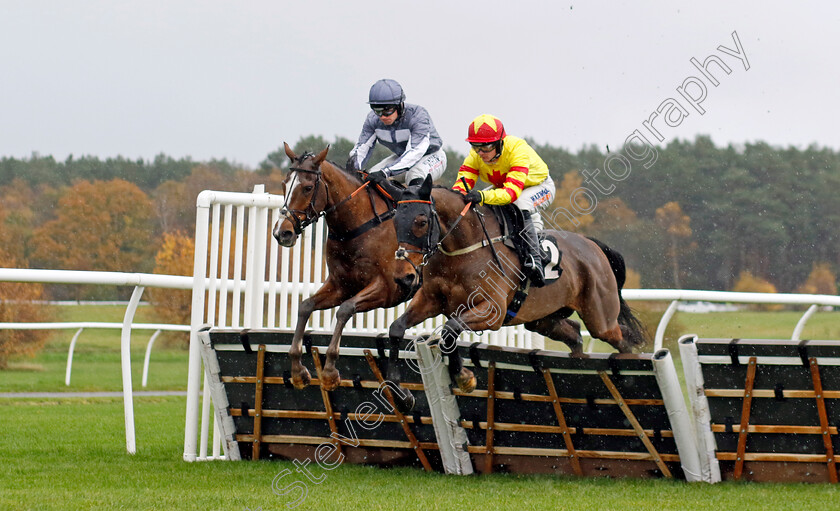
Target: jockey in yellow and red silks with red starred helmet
[[517, 175]]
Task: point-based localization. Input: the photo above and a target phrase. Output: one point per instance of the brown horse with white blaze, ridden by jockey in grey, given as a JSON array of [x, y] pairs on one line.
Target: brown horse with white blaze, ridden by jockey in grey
[[359, 250]]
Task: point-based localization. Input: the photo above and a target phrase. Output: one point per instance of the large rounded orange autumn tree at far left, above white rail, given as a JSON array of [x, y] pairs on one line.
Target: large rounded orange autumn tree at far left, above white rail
[[99, 226]]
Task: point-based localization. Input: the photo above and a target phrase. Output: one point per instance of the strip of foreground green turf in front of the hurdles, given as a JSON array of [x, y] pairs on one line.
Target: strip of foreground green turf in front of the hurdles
[[70, 454]]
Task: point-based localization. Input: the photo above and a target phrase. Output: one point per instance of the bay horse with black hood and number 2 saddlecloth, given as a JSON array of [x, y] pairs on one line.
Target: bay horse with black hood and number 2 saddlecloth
[[471, 278]]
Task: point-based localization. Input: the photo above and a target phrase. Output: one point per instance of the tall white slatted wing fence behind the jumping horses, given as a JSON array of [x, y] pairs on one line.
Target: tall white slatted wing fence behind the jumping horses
[[243, 279]]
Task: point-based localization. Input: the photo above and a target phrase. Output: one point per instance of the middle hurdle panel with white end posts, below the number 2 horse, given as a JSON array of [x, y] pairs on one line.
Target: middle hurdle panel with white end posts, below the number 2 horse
[[663, 447]]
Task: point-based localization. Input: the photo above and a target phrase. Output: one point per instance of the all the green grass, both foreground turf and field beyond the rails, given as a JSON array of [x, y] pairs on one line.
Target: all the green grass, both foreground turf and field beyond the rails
[[69, 453]]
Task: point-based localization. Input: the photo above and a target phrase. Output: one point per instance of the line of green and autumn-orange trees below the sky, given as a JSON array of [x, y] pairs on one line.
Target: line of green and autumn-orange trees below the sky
[[699, 216]]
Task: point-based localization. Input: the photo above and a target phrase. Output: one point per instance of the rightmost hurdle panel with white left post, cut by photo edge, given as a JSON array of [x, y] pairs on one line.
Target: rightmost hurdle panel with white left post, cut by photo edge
[[765, 410]]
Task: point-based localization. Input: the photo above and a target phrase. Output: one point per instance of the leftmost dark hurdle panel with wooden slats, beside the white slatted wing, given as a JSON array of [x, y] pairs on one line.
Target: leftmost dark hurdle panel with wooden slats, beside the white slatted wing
[[322, 427]]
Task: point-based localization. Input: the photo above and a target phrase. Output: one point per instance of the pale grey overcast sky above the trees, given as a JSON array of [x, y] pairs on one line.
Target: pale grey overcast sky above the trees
[[222, 79]]
